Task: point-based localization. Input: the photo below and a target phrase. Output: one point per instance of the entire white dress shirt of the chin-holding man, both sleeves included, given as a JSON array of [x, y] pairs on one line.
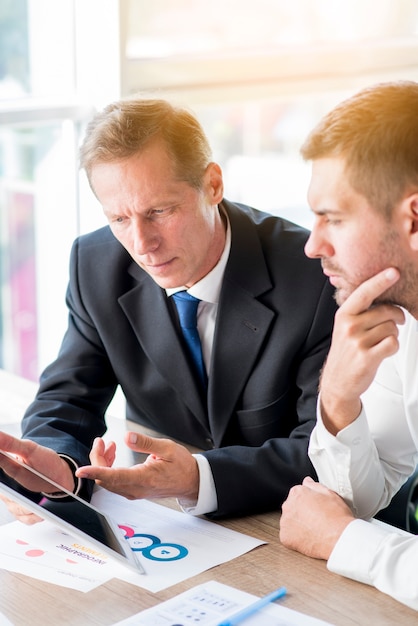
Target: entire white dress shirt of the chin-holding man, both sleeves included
[[367, 463]]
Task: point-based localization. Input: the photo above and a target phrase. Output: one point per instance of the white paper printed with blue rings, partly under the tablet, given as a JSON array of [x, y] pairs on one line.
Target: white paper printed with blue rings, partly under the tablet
[[172, 546]]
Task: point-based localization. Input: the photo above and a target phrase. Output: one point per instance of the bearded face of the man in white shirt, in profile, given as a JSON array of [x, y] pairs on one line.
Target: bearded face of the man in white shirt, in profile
[[353, 241]]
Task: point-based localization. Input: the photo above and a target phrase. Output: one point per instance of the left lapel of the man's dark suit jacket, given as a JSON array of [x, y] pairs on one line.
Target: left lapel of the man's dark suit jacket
[[159, 339]]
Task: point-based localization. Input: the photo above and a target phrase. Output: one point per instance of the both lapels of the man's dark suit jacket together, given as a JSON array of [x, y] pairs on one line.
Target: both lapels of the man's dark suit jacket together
[[241, 327]]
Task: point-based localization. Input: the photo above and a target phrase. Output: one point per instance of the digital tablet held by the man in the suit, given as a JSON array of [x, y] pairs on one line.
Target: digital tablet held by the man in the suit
[[75, 515]]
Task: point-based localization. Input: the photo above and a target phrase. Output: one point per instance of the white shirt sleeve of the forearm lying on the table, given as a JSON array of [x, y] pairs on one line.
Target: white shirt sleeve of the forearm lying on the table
[[379, 556]]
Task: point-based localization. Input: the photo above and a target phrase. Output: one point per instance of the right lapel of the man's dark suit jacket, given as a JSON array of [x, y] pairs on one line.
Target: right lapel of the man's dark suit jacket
[[242, 321]]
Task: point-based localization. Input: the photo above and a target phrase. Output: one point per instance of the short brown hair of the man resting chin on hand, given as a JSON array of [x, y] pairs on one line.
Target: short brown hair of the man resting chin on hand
[[376, 133]]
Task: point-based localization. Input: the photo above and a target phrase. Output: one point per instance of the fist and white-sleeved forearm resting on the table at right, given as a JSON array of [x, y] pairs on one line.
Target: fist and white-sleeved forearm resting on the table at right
[[315, 521]]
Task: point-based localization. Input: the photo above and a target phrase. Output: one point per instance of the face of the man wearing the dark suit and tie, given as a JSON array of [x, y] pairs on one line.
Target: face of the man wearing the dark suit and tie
[[173, 231]]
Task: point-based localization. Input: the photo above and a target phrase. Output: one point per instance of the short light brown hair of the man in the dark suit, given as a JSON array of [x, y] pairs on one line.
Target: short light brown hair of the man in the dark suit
[[124, 127]]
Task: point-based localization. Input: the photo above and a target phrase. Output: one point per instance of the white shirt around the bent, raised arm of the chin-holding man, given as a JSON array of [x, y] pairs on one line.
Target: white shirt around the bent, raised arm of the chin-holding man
[[369, 460]]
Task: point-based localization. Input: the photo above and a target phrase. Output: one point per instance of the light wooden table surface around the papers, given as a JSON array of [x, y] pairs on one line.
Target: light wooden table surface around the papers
[[311, 588]]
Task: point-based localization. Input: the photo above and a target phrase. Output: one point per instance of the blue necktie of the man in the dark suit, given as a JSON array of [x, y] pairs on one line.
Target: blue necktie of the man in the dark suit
[[187, 311]]
